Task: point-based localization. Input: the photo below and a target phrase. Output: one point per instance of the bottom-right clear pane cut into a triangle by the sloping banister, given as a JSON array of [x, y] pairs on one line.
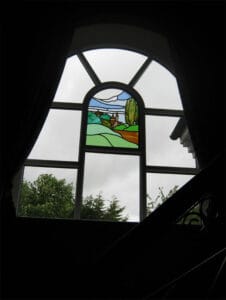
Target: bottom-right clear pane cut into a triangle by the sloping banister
[[162, 186]]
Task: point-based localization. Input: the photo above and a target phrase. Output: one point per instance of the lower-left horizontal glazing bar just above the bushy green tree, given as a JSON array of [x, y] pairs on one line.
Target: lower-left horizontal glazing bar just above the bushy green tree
[[51, 164]]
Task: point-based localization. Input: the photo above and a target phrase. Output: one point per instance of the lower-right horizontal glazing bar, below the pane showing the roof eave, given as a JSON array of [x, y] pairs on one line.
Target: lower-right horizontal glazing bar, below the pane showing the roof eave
[[172, 170]]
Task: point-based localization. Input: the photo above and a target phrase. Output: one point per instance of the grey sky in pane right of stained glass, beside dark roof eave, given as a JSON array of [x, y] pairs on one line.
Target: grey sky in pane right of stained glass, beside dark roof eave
[[161, 150]]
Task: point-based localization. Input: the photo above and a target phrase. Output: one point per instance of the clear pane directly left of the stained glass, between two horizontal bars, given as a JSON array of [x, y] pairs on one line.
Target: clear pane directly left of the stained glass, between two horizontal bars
[[59, 138]]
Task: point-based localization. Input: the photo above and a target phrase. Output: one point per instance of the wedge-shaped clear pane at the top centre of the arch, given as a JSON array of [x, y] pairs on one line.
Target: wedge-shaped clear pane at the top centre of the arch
[[115, 64]]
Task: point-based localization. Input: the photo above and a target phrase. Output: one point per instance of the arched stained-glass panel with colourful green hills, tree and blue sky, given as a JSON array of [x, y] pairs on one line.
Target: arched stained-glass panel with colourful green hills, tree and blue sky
[[113, 120]]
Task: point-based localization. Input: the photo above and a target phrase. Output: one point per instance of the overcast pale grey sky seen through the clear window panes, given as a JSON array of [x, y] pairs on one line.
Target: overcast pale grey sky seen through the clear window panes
[[116, 175]]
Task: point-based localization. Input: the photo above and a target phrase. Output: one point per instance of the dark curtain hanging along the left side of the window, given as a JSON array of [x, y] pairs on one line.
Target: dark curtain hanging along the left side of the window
[[36, 43]]
